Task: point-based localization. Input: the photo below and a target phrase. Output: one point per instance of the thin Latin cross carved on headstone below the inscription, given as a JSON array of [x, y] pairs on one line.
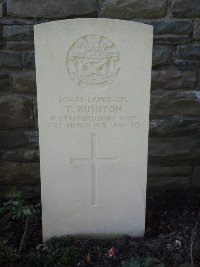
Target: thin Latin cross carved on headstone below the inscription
[[93, 160]]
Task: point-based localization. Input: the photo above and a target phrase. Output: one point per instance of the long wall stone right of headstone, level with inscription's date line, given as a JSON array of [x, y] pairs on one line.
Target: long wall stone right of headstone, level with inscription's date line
[[174, 128]]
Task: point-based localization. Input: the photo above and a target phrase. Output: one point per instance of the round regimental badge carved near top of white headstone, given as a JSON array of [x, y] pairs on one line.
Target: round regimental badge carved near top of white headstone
[[93, 60]]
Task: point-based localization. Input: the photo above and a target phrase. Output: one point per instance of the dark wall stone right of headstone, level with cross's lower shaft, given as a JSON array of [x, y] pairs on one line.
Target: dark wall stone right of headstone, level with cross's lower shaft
[[168, 183]]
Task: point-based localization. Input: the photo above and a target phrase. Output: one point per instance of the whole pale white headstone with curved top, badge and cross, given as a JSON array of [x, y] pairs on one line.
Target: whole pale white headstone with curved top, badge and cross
[[93, 84]]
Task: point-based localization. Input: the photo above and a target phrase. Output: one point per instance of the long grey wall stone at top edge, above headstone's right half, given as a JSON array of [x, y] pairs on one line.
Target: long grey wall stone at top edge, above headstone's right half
[[129, 9]]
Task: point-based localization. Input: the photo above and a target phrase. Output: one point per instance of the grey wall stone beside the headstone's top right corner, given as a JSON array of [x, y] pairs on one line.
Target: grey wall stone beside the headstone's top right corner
[[173, 27]]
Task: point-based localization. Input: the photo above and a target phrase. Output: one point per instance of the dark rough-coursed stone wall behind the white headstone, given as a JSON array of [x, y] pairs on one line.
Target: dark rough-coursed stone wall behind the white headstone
[[174, 144]]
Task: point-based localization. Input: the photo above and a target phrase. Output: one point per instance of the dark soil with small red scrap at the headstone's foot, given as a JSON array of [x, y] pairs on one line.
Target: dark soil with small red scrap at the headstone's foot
[[172, 237]]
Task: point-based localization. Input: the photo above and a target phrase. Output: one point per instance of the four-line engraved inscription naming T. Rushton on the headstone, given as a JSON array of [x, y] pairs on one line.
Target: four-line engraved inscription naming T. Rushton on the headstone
[[94, 112]]
